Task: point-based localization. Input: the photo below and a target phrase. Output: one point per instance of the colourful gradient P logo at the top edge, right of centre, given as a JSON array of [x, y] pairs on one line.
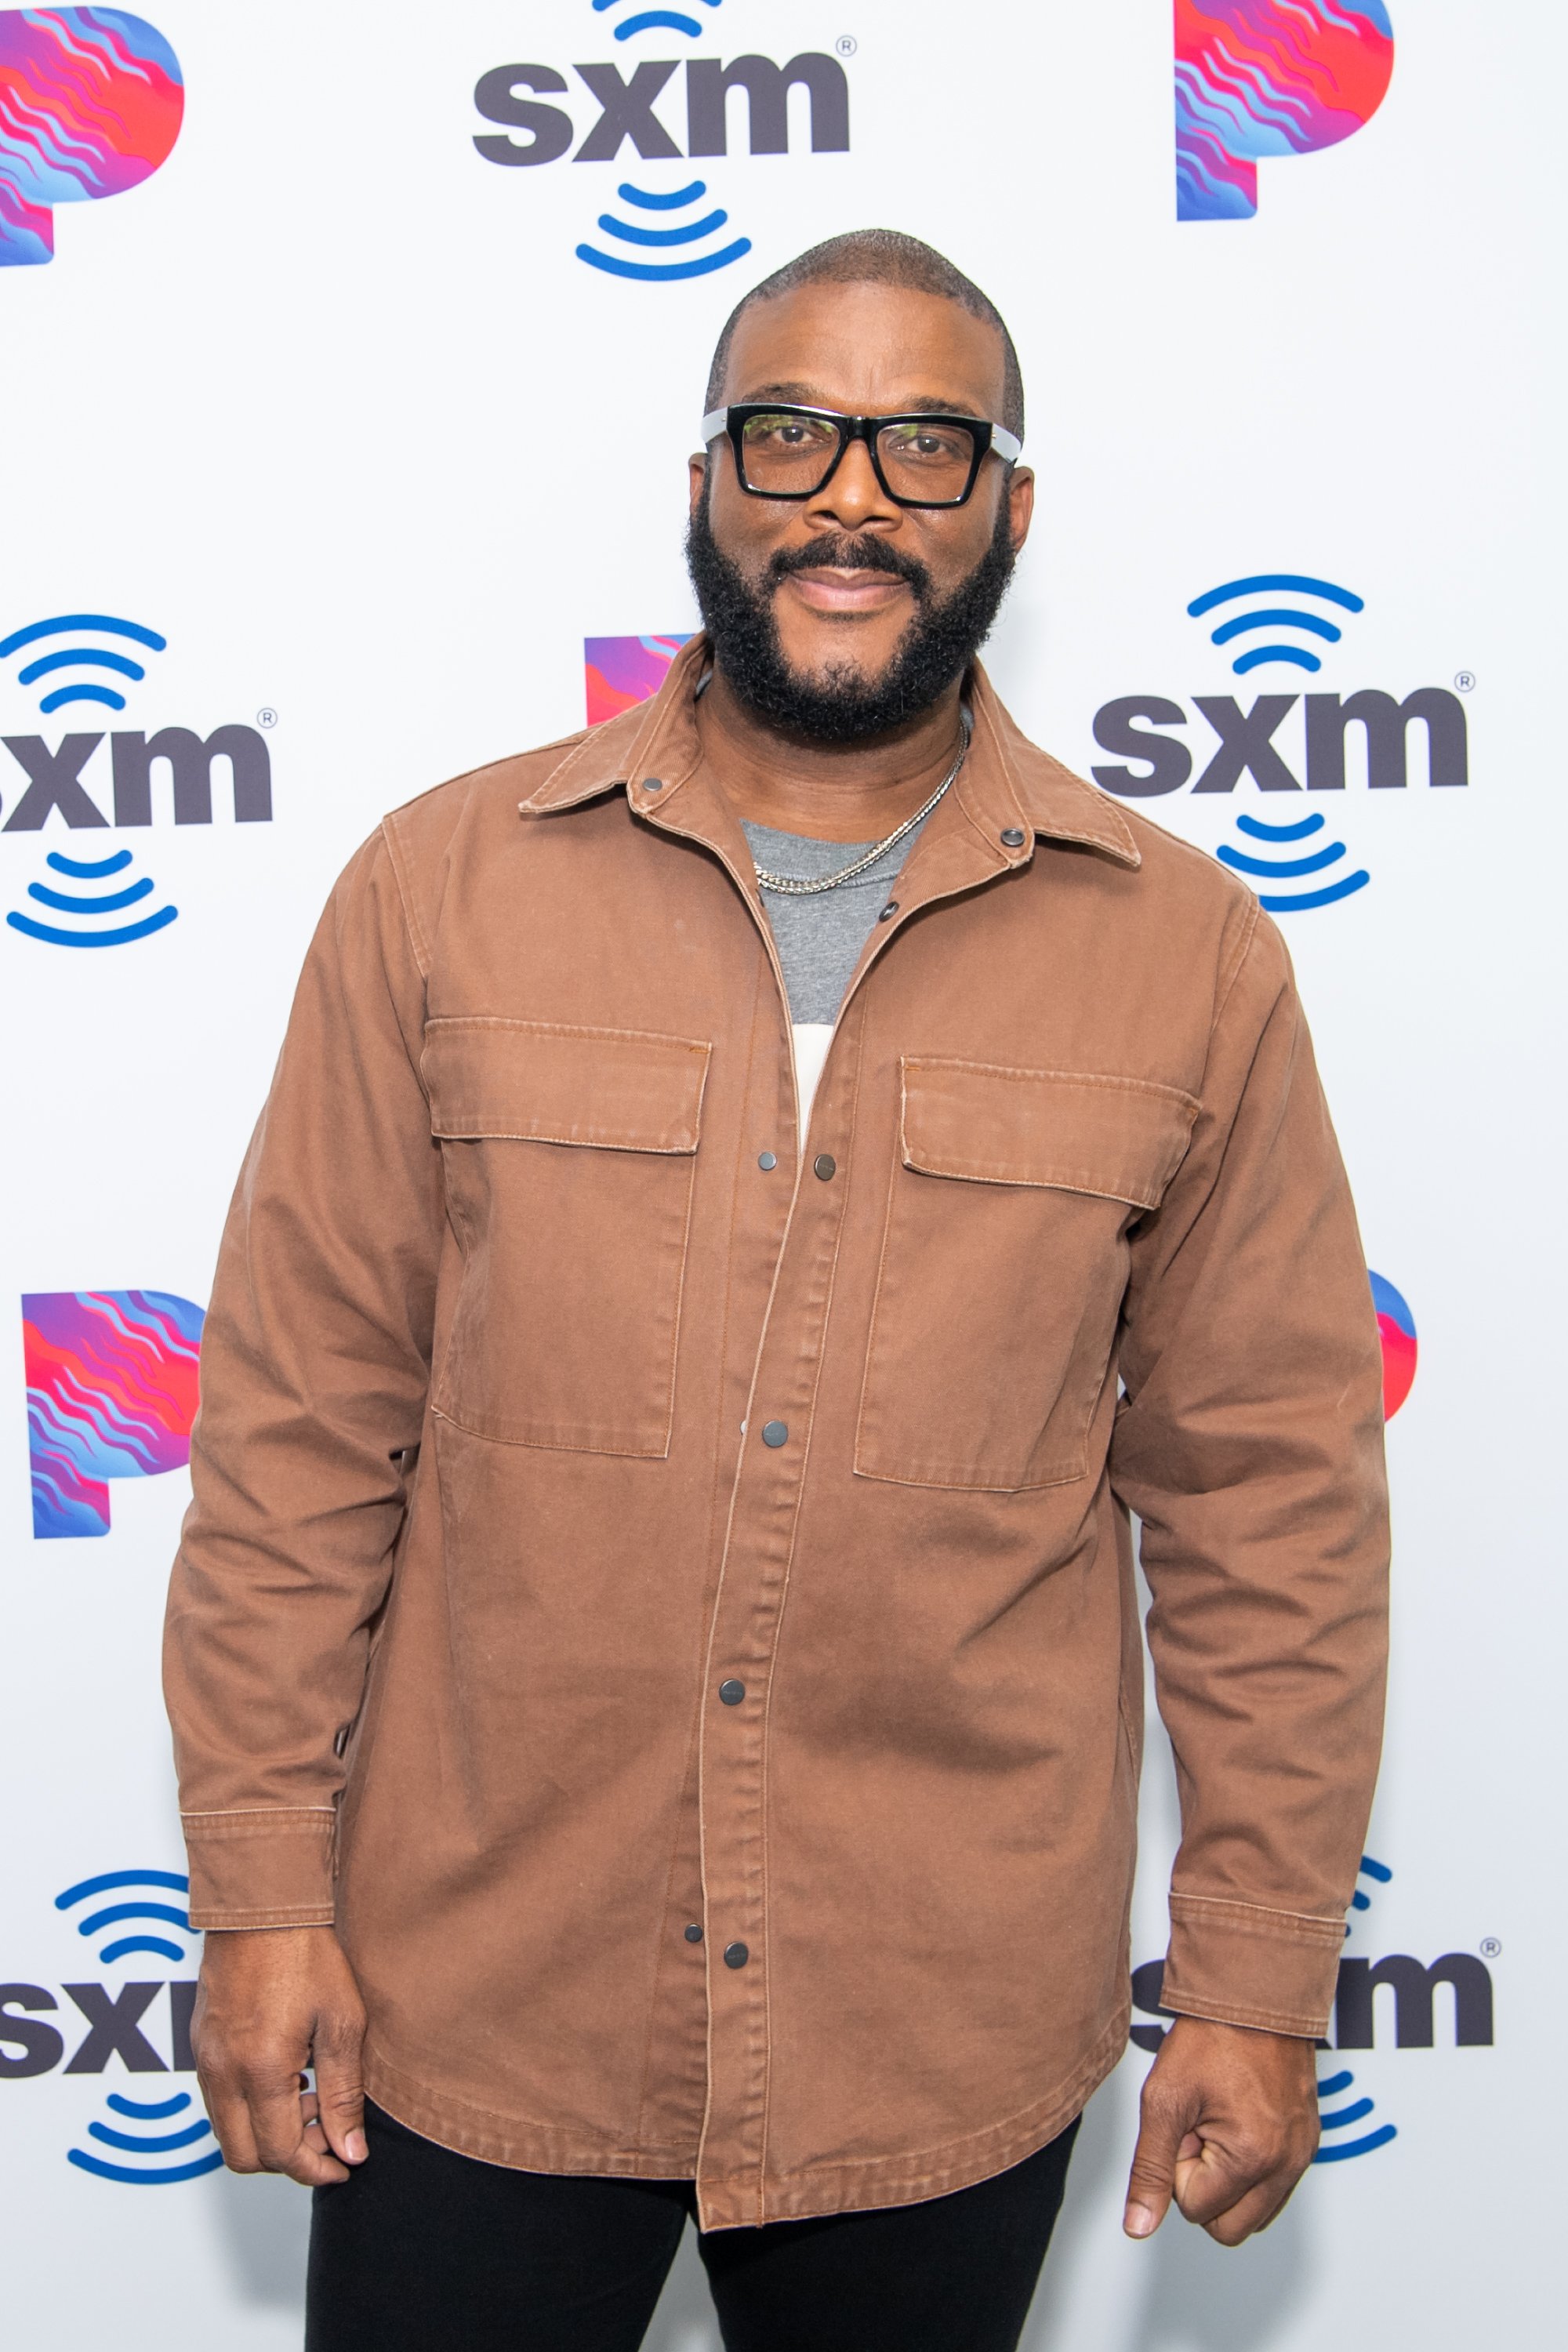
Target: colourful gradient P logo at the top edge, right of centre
[[1268, 79]]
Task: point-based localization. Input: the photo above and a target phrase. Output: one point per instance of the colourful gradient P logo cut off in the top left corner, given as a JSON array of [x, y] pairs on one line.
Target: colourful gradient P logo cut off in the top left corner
[[91, 105]]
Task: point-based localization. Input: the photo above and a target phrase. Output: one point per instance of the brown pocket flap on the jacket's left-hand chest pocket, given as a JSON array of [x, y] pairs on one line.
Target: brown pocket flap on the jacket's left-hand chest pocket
[[549, 1083]]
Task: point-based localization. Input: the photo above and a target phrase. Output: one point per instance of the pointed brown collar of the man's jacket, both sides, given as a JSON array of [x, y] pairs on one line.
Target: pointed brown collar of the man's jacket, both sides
[[1007, 782]]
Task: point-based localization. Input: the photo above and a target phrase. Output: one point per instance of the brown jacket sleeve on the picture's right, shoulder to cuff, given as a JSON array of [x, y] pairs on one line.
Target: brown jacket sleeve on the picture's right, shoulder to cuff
[[1249, 1443]]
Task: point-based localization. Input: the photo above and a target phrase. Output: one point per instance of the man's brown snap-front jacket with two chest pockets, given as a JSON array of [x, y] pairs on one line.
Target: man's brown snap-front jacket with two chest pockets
[[676, 1612]]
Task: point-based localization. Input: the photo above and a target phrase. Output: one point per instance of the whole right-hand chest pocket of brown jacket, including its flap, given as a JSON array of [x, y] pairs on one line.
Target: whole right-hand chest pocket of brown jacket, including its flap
[[1003, 1269]]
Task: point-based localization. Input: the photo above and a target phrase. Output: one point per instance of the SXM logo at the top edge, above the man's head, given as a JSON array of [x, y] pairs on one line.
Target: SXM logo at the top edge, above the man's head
[[664, 232]]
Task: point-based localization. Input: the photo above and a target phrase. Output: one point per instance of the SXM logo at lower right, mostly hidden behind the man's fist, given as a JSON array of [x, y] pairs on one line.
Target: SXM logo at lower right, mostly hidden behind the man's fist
[[1355, 2019]]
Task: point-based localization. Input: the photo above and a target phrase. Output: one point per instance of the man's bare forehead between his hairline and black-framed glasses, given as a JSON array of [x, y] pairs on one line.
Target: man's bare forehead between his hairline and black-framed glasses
[[871, 347]]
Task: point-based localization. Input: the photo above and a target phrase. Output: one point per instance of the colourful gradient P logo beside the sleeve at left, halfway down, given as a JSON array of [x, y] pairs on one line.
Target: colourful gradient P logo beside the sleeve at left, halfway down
[[112, 1394]]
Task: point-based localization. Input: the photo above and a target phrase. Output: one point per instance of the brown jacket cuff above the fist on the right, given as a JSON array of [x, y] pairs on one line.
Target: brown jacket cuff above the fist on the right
[[1249, 1965]]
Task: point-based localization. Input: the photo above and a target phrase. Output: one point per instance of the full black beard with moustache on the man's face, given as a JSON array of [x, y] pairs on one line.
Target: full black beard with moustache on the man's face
[[840, 707]]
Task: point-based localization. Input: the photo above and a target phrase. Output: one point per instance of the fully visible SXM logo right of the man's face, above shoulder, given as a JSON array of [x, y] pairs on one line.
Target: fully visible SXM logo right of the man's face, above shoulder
[[1287, 857]]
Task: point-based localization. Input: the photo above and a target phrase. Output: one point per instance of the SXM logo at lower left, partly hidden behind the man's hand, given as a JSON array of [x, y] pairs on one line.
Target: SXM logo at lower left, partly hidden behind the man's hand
[[128, 1918]]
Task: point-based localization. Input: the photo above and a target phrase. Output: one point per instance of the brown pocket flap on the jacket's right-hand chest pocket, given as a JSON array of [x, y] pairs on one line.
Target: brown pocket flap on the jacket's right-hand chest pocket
[[1120, 1137]]
